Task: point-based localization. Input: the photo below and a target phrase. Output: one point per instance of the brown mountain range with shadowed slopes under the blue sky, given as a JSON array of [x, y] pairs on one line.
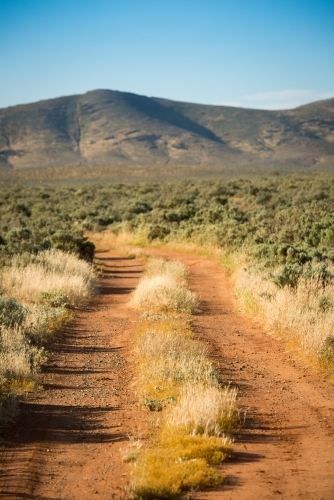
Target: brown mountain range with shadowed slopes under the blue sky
[[109, 127]]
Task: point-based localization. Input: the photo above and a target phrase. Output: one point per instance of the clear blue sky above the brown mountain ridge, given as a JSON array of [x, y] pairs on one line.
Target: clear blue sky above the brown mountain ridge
[[271, 54]]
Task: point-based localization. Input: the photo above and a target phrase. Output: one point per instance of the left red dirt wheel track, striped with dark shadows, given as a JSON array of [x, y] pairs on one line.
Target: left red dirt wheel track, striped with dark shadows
[[68, 438]]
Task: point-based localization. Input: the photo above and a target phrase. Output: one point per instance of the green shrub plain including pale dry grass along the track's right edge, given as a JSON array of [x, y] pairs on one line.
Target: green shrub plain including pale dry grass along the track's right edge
[[274, 234]]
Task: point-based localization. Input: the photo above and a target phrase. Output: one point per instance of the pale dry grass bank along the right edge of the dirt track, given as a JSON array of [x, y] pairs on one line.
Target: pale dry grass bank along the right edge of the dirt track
[[305, 314]]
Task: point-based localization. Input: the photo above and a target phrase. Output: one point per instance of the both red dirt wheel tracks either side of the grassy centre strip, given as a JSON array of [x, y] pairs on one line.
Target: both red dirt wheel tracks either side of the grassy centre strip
[[67, 442]]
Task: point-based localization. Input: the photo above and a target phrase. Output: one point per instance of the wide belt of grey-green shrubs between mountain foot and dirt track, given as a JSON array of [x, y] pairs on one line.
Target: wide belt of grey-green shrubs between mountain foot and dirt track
[[282, 220]]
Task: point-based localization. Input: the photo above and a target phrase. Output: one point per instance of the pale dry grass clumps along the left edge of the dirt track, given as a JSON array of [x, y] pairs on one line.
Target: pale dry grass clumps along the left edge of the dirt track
[[44, 285]]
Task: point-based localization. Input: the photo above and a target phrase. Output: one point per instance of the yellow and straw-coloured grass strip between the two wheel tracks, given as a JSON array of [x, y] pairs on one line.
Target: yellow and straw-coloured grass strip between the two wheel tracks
[[176, 377]]
